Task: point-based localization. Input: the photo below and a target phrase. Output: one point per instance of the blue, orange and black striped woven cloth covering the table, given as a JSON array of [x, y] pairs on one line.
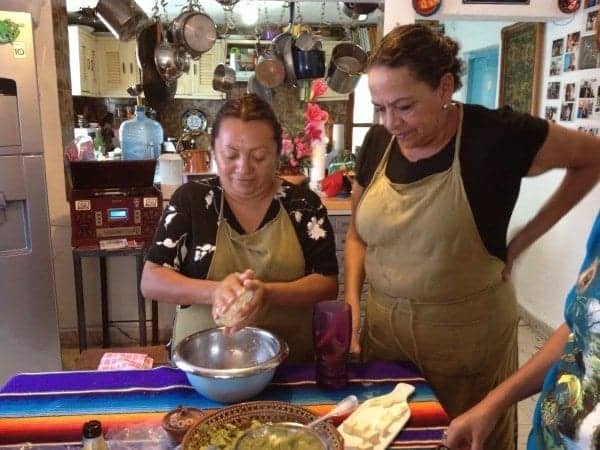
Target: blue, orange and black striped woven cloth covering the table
[[52, 407]]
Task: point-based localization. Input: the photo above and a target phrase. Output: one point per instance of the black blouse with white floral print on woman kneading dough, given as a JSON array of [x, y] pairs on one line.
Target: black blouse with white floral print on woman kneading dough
[[186, 234]]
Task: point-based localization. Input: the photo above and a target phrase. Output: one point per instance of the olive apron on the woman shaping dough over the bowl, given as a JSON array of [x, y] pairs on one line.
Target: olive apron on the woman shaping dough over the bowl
[[274, 253]]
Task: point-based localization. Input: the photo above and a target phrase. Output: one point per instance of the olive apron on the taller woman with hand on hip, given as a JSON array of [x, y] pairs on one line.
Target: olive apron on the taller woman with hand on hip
[[434, 285]]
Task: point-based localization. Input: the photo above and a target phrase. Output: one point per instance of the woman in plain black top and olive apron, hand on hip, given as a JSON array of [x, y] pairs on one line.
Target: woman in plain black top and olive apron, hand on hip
[[430, 217]]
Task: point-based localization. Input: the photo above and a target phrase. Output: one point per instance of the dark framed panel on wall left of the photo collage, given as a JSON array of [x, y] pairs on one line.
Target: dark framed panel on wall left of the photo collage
[[520, 66]]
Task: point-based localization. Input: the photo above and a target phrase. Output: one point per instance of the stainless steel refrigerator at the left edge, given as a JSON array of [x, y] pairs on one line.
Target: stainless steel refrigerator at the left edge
[[29, 327]]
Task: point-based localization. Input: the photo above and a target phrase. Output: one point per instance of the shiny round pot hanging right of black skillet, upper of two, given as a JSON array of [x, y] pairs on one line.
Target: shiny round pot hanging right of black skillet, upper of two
[[195, 32]]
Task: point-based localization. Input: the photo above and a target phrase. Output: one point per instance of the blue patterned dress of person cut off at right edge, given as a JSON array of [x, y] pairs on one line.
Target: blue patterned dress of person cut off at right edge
[[567, 415]]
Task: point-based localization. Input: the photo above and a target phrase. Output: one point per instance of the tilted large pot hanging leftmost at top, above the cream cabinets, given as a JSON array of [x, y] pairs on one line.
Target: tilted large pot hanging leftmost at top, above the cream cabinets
[[124, 18]]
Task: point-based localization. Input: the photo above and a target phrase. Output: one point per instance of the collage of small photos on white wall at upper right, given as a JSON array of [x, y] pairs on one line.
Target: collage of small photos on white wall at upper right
[[572, 100]]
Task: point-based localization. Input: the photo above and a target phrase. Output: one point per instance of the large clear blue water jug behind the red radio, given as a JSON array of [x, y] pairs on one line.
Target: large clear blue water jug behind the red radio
[[141, 137]]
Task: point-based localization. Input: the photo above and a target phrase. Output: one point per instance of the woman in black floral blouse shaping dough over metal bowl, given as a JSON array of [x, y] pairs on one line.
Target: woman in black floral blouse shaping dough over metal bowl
[[246, 229]]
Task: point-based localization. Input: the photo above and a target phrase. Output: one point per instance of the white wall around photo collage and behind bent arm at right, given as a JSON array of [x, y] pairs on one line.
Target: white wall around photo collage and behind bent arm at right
[[545, 273]]
